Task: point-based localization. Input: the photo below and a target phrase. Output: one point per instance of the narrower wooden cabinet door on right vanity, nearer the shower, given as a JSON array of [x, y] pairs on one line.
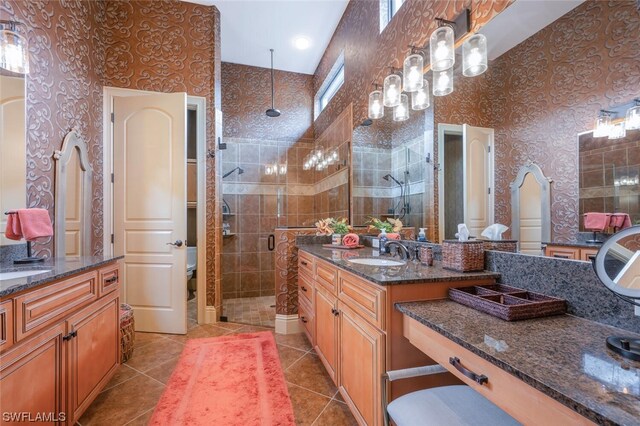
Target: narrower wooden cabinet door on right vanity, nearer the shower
[[326, 330]]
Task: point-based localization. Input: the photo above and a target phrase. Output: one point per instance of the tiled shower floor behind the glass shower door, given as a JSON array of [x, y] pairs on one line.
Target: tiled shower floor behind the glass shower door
[[251, 310]]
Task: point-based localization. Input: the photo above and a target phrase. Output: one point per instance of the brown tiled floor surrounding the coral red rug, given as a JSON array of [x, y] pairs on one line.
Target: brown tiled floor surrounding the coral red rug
[[130, 397]]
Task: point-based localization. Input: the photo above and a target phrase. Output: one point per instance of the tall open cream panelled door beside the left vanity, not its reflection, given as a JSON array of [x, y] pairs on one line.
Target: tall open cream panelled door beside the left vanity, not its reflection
[[149, 157]]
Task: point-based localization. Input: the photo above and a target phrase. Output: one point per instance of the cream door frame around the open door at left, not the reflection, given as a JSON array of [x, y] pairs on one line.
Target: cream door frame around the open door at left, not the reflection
[[200, 104]]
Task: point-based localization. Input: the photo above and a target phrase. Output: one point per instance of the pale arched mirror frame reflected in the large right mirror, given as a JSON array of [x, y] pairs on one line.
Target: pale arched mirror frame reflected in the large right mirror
[[545, 192]]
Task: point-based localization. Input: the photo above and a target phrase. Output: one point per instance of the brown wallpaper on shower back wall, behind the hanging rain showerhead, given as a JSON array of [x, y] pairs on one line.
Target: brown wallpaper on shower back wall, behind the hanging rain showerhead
[[246, 95]]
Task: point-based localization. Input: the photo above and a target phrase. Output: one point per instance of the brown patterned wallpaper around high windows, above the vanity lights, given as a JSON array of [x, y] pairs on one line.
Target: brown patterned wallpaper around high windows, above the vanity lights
[[369, 53]]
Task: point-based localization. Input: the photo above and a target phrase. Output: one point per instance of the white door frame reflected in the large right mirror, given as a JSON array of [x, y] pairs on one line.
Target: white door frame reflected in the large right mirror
[[457, 129]]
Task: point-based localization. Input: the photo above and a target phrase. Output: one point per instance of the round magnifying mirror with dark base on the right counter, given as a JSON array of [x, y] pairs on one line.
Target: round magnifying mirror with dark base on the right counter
[[617, 265]]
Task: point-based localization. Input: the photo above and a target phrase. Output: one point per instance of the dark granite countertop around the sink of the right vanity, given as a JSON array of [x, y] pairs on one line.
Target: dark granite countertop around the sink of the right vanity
[[411, 272]]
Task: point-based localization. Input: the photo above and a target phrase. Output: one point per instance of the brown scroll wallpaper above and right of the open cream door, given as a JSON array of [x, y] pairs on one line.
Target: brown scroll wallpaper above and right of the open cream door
[[170, 46]]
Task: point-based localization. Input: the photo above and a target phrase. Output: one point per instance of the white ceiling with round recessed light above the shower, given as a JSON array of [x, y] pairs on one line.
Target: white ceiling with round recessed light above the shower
[[251, 27]]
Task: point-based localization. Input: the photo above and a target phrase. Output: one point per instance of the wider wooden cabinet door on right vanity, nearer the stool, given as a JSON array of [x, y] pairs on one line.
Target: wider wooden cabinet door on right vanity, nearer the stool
[[361, 366]]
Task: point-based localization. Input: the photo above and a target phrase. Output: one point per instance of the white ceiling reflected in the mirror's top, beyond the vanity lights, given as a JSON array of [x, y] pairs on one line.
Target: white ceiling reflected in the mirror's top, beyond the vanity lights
[[521, 20]]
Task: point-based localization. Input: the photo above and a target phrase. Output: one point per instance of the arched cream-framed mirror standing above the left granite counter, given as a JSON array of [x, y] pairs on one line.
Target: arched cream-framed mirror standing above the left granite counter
[[73, 198]]
